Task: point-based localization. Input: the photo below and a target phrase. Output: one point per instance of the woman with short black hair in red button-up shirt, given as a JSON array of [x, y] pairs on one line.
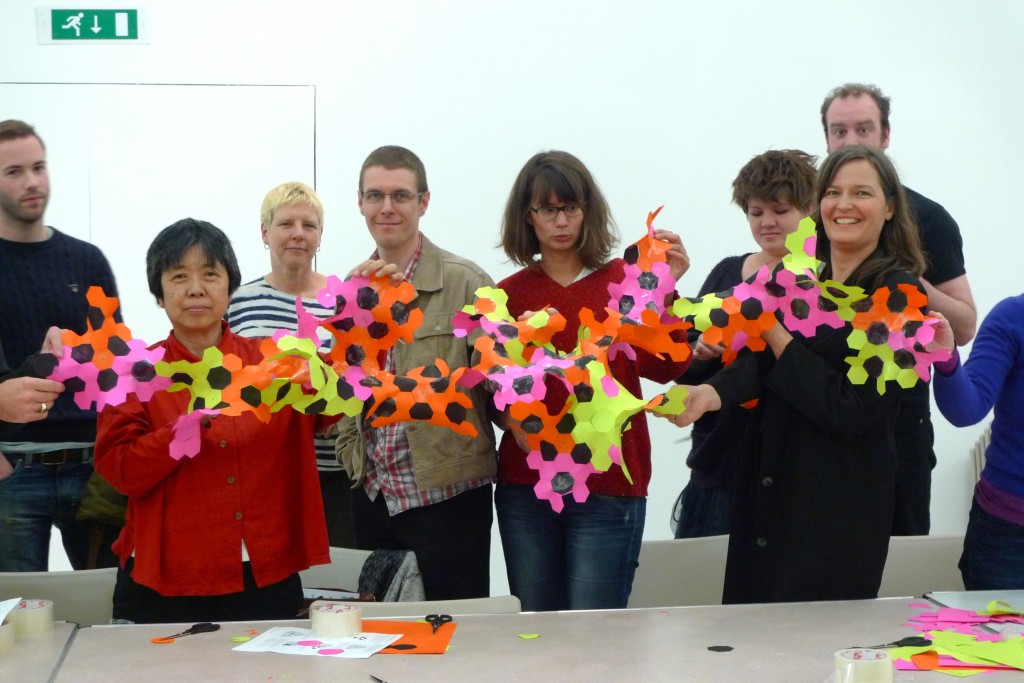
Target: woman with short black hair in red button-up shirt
[[223, 535]]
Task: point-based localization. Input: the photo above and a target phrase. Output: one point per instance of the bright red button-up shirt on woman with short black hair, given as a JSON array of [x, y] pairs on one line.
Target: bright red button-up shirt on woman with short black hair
[[187, 519]]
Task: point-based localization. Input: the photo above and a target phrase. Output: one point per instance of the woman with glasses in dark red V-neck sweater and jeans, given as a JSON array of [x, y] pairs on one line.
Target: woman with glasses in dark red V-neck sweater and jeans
[[558, 226]]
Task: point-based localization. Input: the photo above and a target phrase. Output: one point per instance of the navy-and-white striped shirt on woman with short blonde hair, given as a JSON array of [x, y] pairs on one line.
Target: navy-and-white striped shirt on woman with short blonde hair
[[259, 311]]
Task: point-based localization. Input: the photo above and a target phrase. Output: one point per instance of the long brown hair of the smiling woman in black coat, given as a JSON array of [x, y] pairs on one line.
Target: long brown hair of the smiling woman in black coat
[[900, 244]]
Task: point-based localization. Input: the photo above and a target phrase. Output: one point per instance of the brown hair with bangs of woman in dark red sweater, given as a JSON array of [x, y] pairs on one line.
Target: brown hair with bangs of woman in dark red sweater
[[564, 176]]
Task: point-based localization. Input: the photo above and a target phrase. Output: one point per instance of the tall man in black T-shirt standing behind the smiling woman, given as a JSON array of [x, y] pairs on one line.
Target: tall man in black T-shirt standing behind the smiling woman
[[859, 114]]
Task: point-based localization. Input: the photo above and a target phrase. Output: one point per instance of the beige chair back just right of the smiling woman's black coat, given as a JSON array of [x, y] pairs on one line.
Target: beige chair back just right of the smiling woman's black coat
[[919, 565]]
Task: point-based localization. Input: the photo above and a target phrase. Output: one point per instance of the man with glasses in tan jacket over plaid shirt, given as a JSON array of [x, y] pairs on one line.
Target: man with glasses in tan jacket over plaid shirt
[[423, 488]]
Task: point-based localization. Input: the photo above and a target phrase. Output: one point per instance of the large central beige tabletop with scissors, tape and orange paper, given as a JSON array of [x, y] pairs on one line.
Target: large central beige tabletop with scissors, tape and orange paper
[[778, 643]]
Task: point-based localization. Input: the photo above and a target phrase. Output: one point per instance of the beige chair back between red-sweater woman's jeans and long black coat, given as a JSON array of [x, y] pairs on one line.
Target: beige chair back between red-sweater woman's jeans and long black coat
[[686, 572]]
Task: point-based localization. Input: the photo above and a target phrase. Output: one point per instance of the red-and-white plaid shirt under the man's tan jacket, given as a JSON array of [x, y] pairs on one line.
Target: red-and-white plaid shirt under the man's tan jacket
[[390, 460]]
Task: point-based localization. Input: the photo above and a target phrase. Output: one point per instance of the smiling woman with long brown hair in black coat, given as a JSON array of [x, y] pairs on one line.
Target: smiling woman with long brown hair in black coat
[[815, 506]]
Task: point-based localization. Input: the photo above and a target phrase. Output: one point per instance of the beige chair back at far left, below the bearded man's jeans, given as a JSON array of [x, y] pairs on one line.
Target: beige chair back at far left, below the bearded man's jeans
[[86, 597]]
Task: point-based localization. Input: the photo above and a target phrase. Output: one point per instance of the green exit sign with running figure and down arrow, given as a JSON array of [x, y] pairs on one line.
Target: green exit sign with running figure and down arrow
[[69, 25]]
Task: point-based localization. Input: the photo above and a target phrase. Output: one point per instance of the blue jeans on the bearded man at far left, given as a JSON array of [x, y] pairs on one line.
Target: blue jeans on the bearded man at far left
[[33, 499]]
